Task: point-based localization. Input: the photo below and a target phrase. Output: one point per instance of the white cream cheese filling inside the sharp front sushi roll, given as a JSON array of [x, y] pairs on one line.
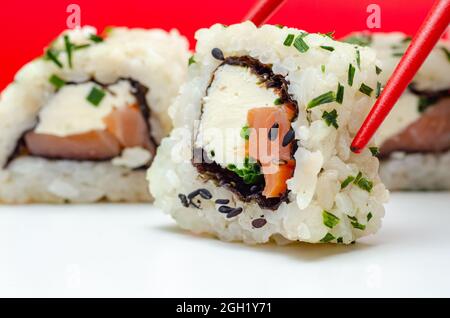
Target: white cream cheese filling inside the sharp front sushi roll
[[233, 92]]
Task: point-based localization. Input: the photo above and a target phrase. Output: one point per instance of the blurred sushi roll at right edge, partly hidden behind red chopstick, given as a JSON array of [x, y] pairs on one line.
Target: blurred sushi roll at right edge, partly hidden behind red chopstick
[[415, 138]]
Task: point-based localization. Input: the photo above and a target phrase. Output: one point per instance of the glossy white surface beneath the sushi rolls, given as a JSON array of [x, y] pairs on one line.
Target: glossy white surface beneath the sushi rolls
[[135, 250]]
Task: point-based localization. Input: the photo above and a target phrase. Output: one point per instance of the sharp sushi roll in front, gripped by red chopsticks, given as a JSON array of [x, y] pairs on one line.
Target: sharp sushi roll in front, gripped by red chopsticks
[[261, 145]]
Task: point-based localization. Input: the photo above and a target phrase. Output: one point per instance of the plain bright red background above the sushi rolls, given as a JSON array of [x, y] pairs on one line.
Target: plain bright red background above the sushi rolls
[[28, 26]]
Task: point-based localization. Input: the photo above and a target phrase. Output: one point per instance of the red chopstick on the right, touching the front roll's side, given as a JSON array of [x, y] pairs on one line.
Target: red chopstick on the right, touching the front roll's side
[[429, 33]]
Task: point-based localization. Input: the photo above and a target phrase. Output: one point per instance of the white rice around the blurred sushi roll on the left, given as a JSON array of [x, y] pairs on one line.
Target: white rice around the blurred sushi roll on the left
[[154, 58]]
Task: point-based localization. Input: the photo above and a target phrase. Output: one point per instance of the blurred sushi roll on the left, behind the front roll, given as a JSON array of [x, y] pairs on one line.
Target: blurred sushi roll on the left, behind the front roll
[[82, 123]]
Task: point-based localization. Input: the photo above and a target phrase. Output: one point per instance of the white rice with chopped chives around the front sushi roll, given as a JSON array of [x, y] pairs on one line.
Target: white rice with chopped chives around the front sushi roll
[[323, 160]]
